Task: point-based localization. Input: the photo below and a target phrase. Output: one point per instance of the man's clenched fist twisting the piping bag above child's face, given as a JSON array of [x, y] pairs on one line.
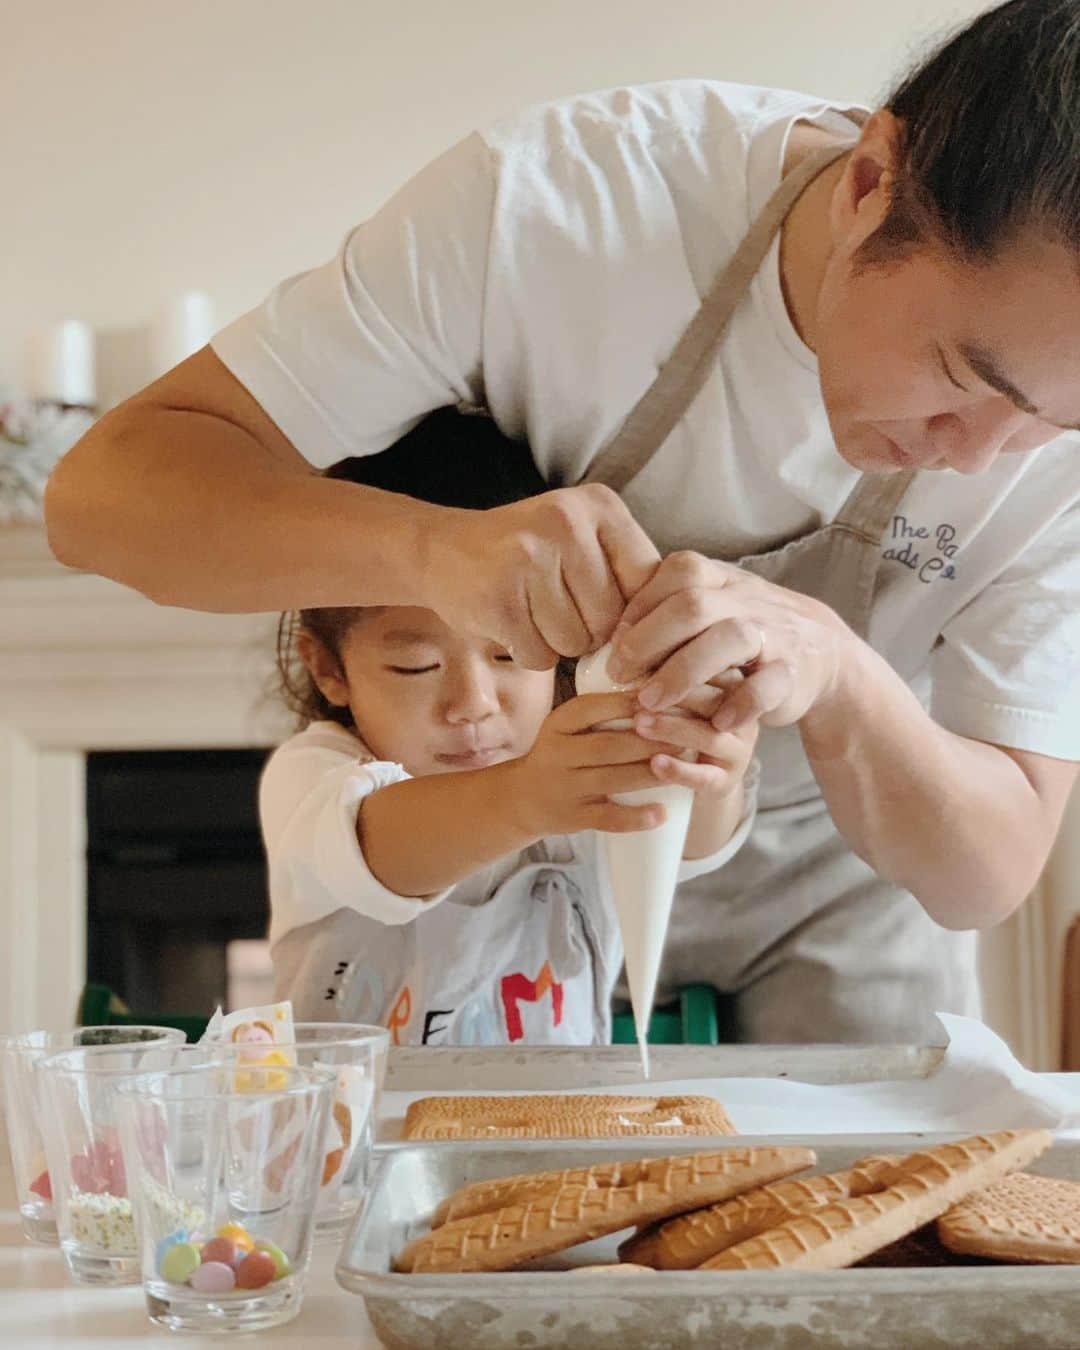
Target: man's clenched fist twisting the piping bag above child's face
[[547, 577]]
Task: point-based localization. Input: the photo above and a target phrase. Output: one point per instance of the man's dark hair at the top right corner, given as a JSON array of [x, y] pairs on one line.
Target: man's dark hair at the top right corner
[[992, 137]]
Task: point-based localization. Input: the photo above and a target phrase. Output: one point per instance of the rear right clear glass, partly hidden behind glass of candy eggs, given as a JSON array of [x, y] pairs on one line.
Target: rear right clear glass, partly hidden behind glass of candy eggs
[[357, 1054]]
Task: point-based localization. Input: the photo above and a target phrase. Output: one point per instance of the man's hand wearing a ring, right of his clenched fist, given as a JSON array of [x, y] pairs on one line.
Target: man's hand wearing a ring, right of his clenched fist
[[696, 622]]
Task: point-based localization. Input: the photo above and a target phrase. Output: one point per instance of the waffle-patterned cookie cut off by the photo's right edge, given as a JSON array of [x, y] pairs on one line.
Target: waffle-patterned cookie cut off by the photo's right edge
[[1023, 1218]]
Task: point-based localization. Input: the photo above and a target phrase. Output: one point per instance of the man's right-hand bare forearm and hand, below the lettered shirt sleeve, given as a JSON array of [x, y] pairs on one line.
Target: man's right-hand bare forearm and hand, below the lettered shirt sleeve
[[965, 826]]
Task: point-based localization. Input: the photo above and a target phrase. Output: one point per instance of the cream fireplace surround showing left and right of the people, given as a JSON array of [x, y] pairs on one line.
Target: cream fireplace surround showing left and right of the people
[[88, 665]]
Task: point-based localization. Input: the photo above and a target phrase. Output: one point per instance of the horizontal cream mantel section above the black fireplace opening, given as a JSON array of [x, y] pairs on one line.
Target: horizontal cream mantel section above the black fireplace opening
[[90, 665]]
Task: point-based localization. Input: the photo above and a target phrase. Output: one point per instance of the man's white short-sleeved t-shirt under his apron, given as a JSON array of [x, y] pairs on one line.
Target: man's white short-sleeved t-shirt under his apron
[[547, 268]]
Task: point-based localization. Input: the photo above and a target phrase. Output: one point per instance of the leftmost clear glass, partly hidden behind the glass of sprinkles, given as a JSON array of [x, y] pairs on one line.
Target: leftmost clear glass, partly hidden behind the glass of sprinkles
[[22, 1108]]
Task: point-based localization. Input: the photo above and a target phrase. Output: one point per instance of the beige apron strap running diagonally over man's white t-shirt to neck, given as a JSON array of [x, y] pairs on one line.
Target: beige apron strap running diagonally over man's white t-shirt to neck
[[682, 376]]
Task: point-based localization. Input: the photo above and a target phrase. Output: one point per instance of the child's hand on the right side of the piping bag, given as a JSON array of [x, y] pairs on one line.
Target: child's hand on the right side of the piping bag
[[723, 757]]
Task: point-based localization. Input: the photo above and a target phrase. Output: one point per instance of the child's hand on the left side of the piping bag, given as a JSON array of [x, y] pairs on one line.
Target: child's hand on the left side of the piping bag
[[564, 784]]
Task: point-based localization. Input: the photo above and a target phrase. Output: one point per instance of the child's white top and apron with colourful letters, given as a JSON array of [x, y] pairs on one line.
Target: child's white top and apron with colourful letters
[[527, 948]]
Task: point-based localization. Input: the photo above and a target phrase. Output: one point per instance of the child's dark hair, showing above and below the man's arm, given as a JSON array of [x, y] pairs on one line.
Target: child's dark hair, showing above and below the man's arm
[[452, 458]]
